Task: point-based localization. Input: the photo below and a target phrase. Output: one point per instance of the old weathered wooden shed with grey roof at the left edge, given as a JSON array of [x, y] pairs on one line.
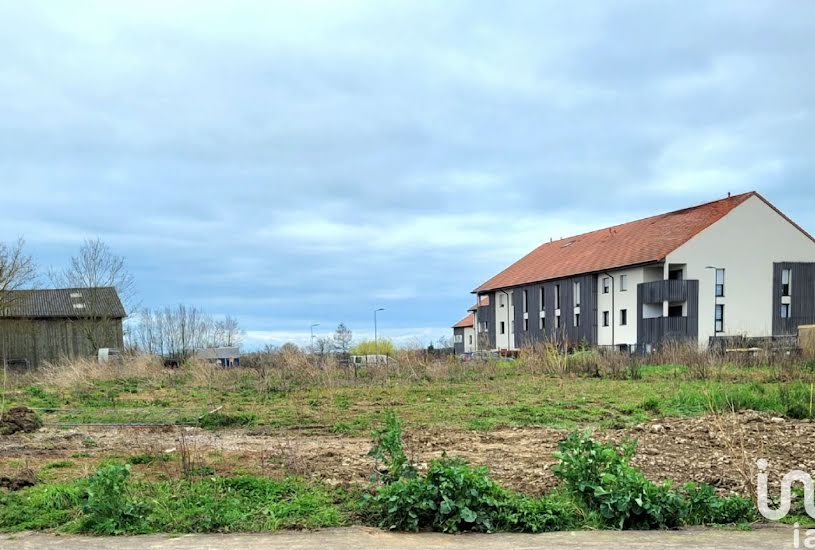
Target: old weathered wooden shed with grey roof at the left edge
[[46, 325]]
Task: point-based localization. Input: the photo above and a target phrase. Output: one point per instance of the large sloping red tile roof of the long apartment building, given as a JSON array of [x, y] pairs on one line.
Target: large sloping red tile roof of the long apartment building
[[638, 242]]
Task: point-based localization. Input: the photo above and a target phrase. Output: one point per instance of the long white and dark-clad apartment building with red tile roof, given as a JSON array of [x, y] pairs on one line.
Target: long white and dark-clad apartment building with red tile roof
[[731, 267]]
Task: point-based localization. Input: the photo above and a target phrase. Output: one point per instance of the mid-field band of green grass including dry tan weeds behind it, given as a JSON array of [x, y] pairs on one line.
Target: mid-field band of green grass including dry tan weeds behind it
[[287, 388]]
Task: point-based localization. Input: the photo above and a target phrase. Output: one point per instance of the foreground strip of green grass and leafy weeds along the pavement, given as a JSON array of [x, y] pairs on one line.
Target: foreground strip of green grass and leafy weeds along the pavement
[[600, 489]]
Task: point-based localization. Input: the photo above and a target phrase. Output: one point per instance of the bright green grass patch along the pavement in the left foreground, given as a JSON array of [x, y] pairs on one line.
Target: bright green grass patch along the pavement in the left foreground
[[210, 505]]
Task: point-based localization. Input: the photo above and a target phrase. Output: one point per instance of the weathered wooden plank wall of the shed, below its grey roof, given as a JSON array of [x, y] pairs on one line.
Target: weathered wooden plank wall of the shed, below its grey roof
[[48, 340]]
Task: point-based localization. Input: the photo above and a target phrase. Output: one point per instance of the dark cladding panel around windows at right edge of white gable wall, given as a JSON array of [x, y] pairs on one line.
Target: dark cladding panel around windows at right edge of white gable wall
[[802, 297]]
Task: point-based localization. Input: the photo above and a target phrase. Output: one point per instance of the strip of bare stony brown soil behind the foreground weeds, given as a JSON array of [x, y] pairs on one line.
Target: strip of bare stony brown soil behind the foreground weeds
[[719, 450]]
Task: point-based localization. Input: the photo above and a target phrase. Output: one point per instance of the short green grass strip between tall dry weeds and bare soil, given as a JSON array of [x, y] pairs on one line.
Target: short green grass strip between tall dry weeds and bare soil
[[506, 395]]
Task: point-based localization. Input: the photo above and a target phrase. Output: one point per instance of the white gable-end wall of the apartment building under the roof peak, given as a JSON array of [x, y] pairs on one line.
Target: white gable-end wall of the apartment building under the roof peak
[[745, 243]]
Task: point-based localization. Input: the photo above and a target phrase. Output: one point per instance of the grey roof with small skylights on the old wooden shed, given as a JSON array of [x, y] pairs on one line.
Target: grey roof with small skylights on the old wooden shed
[[74, 303]]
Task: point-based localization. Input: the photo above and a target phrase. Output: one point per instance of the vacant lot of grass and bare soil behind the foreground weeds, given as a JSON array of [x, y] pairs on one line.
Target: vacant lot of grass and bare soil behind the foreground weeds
[[315, 423]]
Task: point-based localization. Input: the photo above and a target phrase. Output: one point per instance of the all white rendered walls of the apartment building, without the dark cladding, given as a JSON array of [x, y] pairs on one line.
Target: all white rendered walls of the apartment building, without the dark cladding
[[745, 243]]
